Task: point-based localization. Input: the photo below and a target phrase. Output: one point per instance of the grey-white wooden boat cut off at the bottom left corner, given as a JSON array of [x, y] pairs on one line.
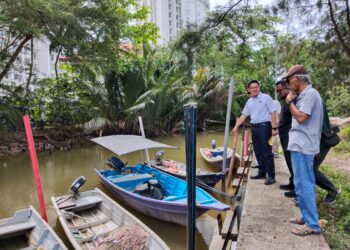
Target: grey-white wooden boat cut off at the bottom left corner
[[27, 230]]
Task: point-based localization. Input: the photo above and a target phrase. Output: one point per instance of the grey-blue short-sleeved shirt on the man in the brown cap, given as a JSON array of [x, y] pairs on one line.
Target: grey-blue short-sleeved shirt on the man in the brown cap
[[305, 137]]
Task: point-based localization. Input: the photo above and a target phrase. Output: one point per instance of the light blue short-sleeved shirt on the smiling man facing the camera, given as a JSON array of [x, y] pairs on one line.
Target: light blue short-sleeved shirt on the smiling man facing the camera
[[259, 108]]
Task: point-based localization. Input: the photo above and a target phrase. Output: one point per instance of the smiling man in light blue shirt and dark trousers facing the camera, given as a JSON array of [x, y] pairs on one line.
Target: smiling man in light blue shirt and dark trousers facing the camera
[[262, 111]]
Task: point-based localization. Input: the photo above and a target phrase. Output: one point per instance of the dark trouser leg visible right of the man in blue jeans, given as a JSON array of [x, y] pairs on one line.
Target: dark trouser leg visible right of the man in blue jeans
[[321, 180]]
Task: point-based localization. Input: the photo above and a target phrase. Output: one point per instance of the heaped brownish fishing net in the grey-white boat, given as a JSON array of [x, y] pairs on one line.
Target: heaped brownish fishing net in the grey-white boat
[[130, 237]]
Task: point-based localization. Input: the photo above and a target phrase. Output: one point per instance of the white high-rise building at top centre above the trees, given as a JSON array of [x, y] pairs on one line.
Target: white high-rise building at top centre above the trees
[[171, 16]]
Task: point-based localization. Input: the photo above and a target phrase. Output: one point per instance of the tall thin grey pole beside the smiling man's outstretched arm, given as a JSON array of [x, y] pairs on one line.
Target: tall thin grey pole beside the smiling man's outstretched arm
[[227, 128]]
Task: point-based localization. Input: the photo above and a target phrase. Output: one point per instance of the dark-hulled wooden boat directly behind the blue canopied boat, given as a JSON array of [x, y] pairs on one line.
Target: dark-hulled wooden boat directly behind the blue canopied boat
[[178, 169]]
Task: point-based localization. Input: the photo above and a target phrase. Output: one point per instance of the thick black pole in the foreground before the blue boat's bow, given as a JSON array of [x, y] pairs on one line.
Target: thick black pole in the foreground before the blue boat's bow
[[190, 118]]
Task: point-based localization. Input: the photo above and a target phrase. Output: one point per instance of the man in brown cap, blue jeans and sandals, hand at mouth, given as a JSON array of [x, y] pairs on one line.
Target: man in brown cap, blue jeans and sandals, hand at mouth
[[304, 144]]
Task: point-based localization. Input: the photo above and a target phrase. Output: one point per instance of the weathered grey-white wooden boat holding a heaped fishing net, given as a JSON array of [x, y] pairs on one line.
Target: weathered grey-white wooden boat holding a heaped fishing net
[[91, 219]]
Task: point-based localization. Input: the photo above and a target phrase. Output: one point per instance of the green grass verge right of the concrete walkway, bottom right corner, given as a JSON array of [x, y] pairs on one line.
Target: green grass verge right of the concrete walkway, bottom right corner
[[337, 230]]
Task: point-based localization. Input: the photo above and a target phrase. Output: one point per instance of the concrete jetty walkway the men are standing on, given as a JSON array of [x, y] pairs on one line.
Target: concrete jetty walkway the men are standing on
[[261, 219]]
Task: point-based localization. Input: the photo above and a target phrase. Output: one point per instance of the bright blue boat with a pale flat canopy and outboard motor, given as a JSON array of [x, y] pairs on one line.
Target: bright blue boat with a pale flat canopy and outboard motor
[[147, 189]]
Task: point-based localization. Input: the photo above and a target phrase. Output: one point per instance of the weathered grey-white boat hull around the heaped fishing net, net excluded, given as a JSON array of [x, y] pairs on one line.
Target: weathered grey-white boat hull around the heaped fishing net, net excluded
[[116, 215]]
